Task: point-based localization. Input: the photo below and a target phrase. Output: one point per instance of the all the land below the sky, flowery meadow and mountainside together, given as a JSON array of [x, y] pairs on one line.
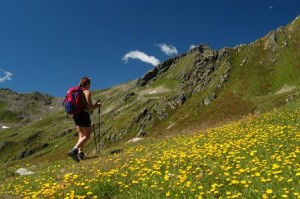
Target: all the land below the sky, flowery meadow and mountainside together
[[206, 124]]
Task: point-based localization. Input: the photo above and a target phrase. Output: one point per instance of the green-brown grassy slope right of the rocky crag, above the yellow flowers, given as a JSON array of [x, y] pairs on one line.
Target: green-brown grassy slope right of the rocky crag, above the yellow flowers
[[251, 88]]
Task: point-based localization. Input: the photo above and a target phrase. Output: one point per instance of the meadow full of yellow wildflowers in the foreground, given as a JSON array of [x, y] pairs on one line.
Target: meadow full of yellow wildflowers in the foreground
[[256, 157]]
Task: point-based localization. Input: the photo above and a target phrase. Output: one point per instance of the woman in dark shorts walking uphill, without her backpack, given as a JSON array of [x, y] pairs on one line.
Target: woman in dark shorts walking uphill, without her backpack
[[83, 121]]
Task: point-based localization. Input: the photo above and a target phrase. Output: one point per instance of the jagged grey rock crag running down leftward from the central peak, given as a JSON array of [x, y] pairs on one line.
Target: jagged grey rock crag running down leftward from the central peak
[[193, 80]]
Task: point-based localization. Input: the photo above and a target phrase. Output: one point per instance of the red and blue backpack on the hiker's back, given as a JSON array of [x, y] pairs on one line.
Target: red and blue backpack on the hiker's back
[[74, 101]]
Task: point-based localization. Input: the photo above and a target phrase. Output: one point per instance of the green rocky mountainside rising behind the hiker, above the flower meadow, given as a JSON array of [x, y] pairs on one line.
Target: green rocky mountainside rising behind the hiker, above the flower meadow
[[198, 89]]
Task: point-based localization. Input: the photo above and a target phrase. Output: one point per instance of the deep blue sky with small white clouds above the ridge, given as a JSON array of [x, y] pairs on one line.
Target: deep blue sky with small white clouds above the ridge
[[48, 45]]
